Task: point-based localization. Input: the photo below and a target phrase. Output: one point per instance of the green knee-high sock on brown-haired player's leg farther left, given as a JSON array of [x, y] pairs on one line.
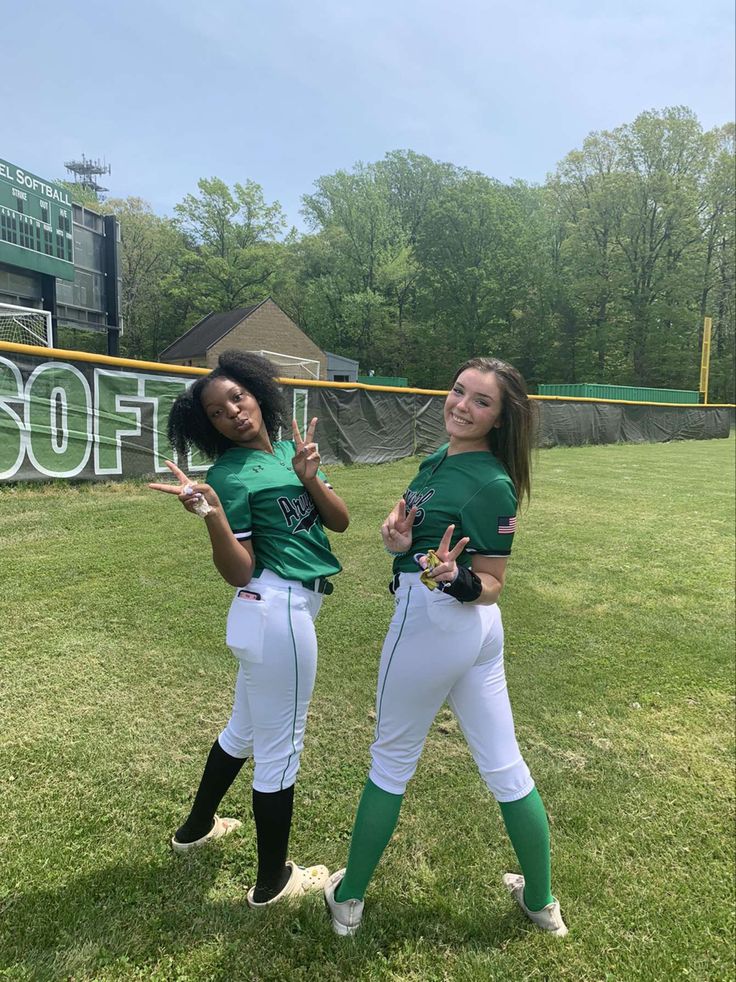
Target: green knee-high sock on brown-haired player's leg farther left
[[375, 821]]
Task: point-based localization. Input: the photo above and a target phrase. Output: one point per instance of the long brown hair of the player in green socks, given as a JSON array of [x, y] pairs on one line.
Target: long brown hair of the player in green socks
[[513, 440]]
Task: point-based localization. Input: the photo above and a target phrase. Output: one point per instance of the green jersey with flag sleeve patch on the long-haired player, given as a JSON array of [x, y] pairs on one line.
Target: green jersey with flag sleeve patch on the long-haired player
[[471, 491]]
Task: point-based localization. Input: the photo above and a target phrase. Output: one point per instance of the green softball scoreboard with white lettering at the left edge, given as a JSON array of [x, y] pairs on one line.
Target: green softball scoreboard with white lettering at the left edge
[[35, 223]]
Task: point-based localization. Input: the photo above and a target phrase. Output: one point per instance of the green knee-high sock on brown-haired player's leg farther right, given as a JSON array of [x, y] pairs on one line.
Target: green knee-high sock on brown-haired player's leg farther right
[[528, 829]]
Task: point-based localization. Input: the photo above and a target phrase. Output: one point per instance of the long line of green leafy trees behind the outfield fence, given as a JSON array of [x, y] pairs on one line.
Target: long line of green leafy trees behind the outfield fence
[[602, 274]]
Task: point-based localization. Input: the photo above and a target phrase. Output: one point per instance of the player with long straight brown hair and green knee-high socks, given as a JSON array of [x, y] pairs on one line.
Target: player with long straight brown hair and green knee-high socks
[[451, 537]]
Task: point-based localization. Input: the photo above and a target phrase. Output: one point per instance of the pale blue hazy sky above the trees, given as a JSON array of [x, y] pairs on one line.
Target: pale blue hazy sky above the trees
[[282, 92]]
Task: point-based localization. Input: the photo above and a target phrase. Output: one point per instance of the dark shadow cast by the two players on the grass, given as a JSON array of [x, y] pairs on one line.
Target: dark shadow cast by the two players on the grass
[[135, 914]]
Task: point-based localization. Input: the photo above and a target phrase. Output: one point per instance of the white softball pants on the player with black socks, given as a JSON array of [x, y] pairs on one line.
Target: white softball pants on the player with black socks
[[276, 646]]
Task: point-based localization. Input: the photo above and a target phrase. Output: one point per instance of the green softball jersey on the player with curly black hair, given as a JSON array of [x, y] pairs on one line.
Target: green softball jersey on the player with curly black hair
[[265, 502]]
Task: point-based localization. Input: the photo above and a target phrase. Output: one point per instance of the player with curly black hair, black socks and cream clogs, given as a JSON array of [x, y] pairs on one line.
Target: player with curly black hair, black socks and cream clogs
[[265, 503]]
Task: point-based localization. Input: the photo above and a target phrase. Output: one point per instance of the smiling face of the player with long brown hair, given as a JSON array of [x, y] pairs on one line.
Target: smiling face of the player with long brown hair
[[472, 409]]
